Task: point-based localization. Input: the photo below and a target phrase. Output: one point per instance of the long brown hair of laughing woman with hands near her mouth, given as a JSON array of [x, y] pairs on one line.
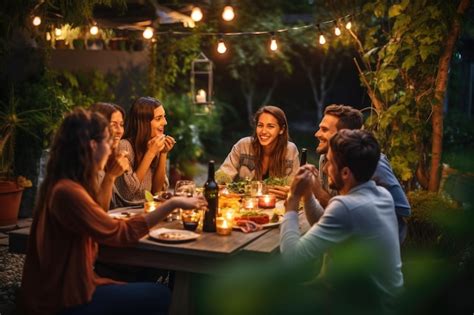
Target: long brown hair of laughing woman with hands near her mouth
[[137, 127]]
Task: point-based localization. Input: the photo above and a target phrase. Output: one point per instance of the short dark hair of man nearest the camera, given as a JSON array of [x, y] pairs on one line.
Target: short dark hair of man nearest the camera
[[356, 149]]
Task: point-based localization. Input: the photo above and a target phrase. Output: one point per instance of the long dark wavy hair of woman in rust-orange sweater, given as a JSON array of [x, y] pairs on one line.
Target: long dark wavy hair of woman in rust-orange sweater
[[70, 156]]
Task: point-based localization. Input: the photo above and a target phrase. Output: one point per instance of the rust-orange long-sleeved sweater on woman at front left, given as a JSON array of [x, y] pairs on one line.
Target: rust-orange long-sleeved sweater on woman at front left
[[62, 248]]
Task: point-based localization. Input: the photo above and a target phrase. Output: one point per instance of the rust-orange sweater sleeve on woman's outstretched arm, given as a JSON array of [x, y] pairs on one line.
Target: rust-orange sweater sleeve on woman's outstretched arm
[[75, 210]]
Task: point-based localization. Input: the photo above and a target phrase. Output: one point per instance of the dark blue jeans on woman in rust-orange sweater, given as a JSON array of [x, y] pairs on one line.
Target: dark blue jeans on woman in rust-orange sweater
[[131, 298]]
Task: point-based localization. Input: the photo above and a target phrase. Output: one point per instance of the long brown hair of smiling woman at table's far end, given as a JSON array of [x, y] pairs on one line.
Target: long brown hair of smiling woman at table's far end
[[276, 167]]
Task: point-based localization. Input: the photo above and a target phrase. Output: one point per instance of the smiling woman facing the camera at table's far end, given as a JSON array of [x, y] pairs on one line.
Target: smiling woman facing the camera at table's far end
[[268, 153]]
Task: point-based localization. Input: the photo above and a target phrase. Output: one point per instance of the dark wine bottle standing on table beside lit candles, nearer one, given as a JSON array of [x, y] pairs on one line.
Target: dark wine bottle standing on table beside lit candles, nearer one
[[211, 192]]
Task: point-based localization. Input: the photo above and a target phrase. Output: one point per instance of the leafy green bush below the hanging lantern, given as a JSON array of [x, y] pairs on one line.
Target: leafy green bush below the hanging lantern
[[189, 129]]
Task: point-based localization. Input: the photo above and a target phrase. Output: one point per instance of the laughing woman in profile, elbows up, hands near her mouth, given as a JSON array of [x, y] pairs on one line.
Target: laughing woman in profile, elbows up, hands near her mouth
[[147, 147]]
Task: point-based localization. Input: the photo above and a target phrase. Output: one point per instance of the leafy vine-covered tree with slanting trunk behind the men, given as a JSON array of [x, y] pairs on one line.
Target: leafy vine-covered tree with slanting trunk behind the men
[[405, 53]]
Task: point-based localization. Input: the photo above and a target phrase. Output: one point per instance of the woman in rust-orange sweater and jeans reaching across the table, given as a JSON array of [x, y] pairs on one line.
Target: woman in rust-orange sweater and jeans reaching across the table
[[58, 275]]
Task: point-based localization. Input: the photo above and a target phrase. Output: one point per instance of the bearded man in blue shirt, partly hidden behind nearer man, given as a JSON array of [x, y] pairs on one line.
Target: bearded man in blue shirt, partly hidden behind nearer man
[[337, 117]]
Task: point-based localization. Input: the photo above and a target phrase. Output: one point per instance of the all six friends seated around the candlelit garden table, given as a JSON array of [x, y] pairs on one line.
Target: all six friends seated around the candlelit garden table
[[95, 164]]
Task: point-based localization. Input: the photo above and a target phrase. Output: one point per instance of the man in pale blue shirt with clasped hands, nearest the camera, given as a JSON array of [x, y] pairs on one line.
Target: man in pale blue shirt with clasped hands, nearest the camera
[[362, 210]]
